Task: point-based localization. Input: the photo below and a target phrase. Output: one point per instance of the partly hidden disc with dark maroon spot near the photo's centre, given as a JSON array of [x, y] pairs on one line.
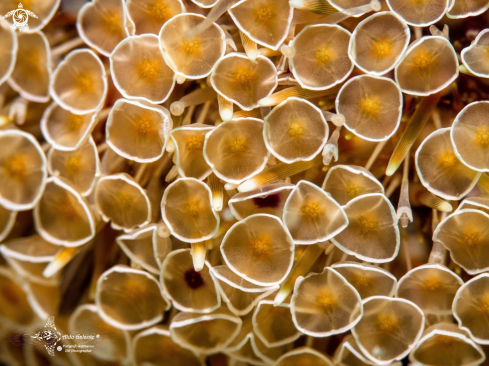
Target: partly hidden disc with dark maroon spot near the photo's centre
[[269, 199]]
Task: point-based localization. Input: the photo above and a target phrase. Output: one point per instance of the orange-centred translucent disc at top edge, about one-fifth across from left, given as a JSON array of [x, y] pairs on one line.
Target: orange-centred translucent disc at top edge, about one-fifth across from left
[[102, 24]]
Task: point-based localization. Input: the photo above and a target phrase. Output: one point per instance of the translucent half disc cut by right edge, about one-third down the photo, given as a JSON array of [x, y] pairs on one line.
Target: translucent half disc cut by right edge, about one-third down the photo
[[470, 136]]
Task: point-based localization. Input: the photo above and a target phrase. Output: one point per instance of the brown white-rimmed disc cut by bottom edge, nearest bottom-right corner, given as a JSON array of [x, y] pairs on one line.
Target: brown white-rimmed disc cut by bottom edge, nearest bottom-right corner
[[448, 345]]
